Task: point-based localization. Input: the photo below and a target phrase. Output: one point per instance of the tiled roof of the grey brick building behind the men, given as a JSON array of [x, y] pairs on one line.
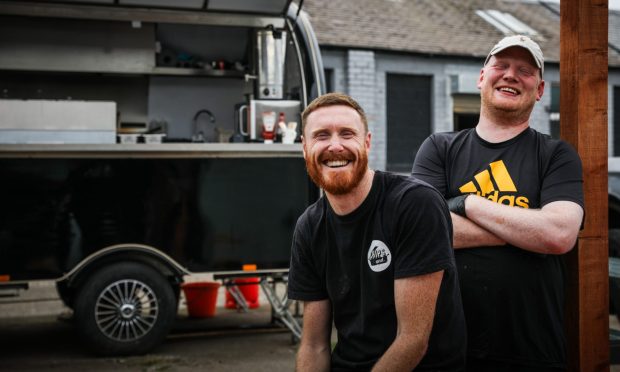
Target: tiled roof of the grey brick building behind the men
[[437, 27]]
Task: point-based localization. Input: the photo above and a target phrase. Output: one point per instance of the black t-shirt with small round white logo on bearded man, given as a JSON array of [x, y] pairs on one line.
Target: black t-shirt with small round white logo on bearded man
[[403, 228]]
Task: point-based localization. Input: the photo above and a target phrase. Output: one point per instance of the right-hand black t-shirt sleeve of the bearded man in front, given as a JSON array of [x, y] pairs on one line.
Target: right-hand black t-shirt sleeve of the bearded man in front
[[424, 234]]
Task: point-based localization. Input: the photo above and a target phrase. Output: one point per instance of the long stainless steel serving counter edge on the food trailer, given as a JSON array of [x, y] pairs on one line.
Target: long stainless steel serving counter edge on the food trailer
[[141, 150]]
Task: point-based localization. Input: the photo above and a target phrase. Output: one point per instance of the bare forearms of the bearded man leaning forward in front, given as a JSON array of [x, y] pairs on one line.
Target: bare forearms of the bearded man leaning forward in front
[[415, 300]]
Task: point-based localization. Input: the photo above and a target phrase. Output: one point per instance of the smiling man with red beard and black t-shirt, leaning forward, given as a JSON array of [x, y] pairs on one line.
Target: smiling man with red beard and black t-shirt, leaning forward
[[373, 255]]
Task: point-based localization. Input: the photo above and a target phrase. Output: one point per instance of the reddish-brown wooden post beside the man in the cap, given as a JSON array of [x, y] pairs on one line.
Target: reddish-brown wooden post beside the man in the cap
[[583, 118]]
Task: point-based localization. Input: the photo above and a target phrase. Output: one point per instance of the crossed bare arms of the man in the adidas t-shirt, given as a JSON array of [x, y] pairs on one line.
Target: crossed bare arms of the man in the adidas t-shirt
[[553, 229]]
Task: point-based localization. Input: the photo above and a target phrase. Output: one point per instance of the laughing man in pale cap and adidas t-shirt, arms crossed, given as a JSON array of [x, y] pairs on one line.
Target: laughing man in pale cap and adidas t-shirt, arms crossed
[[516, 201]]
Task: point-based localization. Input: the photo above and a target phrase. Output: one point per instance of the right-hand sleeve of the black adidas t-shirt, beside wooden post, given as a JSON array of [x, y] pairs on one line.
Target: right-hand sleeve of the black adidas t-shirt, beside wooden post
[[563, 178]]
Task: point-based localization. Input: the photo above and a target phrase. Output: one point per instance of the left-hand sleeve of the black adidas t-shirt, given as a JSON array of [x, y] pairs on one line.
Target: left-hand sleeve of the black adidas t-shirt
[[429, 164]]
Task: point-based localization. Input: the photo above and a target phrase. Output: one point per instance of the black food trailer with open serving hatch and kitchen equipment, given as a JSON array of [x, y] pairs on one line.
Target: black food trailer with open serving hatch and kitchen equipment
[[145, 140]]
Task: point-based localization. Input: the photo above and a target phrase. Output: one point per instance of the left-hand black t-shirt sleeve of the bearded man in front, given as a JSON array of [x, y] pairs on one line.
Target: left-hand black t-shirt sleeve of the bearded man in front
[[304, 281]]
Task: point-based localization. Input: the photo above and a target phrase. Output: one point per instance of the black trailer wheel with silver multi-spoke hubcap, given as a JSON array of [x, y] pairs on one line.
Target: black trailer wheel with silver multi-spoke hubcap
[[125, 309]]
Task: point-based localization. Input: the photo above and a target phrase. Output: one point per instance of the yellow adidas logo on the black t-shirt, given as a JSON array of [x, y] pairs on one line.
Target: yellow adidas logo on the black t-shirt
[[491, 184]]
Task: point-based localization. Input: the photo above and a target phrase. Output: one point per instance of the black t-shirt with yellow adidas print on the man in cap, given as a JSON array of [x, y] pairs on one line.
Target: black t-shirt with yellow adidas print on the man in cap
[[513, 299]]
